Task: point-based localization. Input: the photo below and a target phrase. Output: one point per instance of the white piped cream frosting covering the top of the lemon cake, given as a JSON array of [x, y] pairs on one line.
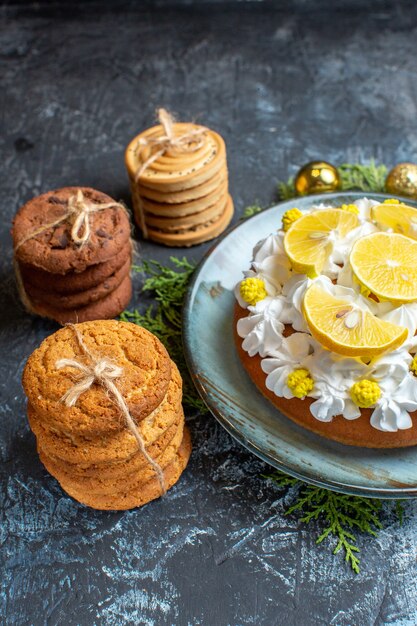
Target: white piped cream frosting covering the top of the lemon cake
[[333, 375]]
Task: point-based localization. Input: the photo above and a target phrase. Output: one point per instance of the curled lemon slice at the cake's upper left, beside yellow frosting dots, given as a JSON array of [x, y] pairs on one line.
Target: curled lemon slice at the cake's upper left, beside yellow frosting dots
[[309, 241]]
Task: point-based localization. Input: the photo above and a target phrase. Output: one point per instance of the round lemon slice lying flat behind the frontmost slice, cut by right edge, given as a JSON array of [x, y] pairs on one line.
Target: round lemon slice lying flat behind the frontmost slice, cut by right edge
[[385, 264]]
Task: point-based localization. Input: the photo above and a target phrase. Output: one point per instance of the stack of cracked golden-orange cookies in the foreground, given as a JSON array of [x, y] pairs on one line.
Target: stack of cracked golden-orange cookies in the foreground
[[87, 446]]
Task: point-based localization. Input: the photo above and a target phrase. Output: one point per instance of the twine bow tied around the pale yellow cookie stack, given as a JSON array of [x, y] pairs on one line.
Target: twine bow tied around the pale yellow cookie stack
[[190, 141]]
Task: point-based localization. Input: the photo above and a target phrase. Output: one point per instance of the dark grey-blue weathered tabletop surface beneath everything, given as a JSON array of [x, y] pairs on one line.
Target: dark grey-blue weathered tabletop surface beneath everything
[[282, 87]]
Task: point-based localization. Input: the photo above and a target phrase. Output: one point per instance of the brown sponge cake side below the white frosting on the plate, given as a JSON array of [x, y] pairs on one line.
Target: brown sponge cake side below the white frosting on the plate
[[358, 432]]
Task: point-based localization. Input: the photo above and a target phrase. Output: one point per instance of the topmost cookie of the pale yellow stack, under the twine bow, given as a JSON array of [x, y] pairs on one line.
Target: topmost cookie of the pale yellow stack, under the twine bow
[[176, 170]]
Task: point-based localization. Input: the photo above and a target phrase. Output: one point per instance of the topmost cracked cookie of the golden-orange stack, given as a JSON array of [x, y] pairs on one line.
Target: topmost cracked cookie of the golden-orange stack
[[143, 383]]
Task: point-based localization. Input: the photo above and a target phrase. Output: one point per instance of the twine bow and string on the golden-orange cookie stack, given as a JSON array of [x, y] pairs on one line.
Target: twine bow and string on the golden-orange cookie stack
[[104, 372]]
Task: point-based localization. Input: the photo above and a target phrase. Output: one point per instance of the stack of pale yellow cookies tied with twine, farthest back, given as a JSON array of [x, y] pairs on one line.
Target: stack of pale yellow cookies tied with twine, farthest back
[[179, 183]]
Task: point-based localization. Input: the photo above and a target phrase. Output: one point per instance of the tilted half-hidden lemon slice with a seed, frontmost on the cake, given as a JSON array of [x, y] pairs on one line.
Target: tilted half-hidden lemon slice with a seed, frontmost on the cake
[[345, 328]]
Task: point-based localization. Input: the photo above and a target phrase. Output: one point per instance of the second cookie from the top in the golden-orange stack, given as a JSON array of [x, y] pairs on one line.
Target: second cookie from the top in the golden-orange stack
[[121, 446]]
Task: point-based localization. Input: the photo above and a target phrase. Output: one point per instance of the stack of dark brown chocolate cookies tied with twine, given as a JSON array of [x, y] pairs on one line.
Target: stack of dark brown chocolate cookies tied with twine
[[73, 275]]
